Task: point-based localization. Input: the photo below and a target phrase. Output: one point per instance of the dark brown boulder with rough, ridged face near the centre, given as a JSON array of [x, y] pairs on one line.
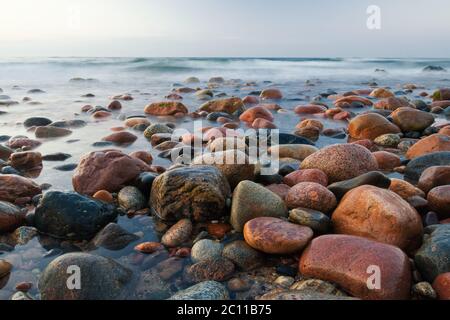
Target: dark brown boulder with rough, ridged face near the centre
[[197, 192]]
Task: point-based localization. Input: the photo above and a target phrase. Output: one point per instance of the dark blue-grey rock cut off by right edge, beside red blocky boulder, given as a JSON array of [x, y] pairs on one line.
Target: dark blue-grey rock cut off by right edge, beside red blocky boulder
[[433, 257]]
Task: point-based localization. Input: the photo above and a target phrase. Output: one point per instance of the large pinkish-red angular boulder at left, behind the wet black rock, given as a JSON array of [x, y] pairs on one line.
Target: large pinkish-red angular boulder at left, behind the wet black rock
[[106, 170]]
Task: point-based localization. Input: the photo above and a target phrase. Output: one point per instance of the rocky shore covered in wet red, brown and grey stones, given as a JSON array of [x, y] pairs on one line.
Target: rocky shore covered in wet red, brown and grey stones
[[365, 215]]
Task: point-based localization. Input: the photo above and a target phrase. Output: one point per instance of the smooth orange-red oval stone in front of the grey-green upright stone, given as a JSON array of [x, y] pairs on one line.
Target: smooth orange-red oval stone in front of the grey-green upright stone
[[276, 236]]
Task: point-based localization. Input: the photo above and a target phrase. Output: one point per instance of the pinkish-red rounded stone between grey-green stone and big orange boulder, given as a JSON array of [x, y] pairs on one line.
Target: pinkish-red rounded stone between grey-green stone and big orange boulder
[[311, 195]]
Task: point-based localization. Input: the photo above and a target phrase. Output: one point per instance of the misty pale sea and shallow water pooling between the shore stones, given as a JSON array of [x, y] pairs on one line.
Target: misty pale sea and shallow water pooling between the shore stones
[[149, 80]]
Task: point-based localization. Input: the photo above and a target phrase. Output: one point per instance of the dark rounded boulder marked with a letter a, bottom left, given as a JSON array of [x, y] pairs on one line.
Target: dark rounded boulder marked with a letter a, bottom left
[[100, 278]]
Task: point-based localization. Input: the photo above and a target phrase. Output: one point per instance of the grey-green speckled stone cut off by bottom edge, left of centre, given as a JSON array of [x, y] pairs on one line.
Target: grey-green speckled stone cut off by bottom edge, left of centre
[[206, 290]]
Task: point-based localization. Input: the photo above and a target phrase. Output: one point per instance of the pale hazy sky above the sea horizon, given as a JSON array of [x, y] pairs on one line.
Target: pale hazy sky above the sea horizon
[[409, 28]]
